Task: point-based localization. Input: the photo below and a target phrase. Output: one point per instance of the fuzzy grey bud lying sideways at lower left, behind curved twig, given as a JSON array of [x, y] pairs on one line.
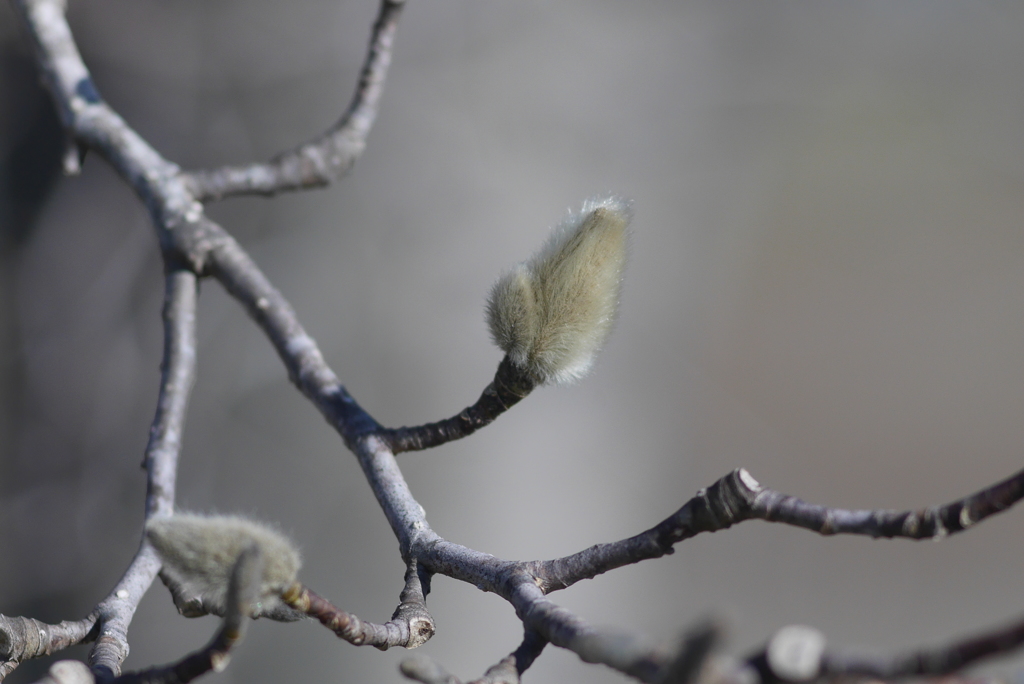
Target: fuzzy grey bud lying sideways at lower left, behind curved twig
[[200, 551]]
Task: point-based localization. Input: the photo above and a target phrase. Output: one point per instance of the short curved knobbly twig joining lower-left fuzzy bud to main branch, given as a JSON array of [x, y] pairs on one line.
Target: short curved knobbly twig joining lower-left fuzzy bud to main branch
[[411, 626]]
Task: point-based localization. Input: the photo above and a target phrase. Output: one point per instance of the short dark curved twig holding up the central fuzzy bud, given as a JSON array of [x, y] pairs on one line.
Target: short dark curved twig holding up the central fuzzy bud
[[510, 387]]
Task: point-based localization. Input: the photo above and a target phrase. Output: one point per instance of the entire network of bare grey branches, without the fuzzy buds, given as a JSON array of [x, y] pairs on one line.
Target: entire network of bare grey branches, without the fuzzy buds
[[195, 246]]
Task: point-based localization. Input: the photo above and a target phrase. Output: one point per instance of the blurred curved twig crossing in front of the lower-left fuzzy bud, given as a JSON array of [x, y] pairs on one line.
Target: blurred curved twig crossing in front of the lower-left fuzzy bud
[[242, 593]]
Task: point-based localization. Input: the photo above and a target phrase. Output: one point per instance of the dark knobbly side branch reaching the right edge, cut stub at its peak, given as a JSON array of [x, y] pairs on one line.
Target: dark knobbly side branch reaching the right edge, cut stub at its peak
[[739, 497]]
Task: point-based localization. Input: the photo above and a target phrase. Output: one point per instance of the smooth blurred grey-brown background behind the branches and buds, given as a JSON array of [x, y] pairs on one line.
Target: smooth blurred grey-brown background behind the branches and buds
[[827, 287]]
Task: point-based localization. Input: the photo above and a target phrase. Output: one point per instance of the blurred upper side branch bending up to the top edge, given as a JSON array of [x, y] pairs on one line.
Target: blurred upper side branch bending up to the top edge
[[320, 162]]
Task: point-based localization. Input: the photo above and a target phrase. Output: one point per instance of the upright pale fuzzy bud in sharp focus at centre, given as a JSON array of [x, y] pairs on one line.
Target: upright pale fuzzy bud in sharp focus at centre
[[552, 314]]
